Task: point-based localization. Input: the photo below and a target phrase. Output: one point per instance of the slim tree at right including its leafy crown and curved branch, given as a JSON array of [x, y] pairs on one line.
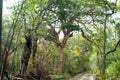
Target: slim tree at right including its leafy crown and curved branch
[[102, 16]]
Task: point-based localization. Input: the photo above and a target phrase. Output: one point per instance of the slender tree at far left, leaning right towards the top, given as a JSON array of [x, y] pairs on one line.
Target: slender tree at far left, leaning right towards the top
[[8, 44]]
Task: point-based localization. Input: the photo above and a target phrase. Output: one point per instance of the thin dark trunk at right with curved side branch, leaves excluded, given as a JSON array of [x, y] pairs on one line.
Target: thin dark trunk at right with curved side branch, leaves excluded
[[105, 37]]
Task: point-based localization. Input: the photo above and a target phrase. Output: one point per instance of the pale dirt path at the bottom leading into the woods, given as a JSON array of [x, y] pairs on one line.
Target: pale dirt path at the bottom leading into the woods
[[83, 76]]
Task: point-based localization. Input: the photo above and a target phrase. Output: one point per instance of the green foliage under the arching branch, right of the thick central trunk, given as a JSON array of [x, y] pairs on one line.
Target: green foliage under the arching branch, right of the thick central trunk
[[78, 63]]
